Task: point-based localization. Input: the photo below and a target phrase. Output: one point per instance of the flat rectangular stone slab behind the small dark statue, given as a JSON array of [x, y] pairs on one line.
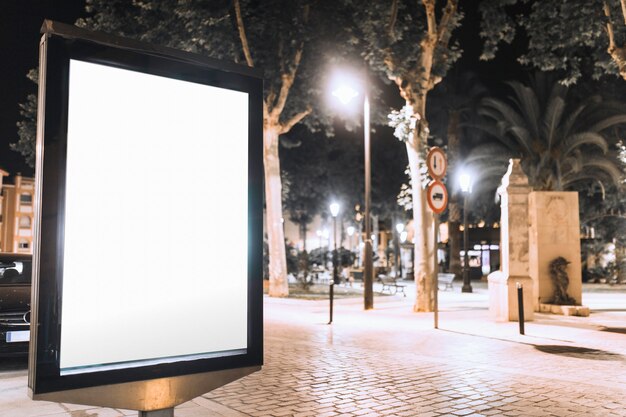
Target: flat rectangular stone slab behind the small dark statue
[[554, 232]]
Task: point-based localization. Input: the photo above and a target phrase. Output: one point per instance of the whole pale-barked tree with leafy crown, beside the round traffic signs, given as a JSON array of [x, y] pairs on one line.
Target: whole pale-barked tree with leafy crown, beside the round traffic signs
[[409, 44]]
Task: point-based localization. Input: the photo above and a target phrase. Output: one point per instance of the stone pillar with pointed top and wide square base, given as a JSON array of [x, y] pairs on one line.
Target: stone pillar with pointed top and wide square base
[[513, 249]]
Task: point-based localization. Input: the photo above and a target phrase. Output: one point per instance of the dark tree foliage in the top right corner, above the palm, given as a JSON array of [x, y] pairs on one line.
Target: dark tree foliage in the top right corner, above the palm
[[571, 36]]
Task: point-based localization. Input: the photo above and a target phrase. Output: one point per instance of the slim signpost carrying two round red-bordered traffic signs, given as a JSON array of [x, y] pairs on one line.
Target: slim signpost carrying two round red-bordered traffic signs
[[437, 199]]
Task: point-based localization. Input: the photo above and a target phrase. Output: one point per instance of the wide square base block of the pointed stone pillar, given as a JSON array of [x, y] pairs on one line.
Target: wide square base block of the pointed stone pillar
[[503, 296]]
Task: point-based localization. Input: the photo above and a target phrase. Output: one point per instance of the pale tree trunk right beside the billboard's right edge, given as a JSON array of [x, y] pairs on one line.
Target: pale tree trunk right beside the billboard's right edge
[[273, 215]]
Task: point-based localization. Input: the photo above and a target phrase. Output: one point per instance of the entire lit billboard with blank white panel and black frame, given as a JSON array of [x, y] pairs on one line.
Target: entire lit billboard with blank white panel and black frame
[[136, 304]]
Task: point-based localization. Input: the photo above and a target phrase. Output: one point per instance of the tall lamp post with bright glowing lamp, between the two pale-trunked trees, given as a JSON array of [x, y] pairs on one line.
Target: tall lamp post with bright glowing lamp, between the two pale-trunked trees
[[345, 93]]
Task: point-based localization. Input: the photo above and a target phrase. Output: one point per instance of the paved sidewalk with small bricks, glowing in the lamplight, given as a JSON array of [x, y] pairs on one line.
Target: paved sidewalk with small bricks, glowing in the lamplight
[[391, 361]]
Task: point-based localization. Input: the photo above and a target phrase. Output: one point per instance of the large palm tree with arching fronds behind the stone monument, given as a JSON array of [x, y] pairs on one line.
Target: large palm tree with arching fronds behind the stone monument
[[560, 144]]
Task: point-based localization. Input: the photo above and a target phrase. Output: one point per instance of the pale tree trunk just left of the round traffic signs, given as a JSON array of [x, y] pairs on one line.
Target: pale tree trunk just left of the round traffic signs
[[423, 233]]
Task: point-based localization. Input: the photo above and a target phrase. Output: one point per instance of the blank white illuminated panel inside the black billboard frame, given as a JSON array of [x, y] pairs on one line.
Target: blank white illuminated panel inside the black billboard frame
[[156, 230]]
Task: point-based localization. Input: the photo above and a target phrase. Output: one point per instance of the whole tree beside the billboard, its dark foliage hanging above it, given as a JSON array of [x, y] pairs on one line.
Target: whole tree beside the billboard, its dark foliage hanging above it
[[285, 39]]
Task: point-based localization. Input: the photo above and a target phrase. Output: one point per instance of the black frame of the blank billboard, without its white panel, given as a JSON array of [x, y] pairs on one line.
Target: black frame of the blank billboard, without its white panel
[[59, 44]]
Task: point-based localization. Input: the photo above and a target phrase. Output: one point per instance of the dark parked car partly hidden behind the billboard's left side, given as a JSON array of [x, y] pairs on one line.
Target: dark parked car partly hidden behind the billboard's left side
[[15, 284]]
